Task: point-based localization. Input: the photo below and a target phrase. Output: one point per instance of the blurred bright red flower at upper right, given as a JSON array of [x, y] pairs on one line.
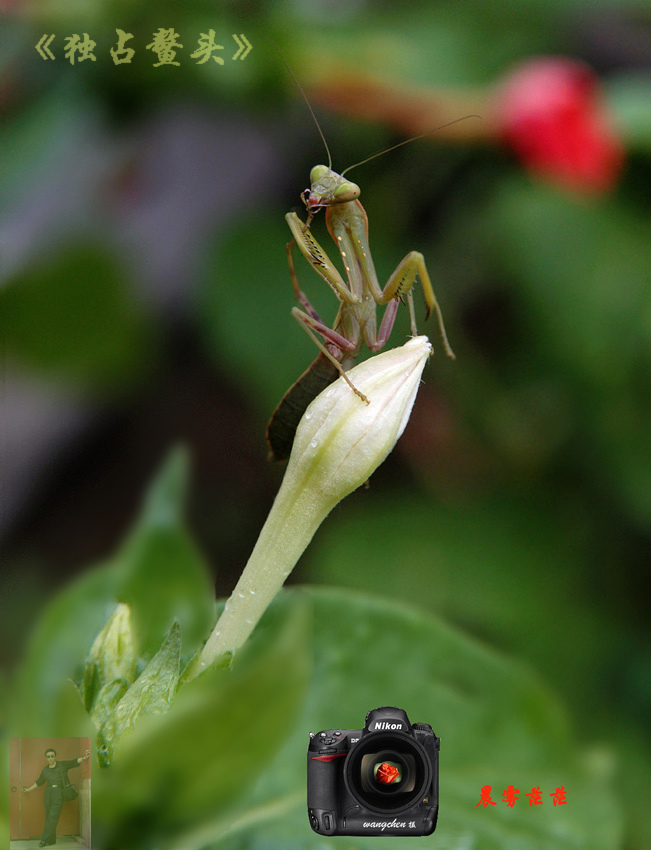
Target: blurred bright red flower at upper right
[[549, 111]]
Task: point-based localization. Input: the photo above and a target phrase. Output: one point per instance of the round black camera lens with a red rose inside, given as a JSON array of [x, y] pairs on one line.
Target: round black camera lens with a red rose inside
[[387, 772]]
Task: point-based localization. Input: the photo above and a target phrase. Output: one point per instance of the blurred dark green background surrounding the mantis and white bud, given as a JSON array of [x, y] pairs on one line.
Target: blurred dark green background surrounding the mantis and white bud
[[146, 302]]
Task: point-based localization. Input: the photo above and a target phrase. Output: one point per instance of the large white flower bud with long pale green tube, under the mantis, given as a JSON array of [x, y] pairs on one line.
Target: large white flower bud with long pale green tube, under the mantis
[[339, 443]]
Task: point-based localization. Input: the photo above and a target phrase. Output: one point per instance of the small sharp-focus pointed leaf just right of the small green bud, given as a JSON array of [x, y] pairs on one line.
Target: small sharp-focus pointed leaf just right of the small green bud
[[152, 693]]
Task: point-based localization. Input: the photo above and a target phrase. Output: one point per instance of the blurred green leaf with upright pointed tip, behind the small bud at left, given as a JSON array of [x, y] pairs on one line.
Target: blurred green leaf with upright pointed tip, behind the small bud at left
[[158, 573]]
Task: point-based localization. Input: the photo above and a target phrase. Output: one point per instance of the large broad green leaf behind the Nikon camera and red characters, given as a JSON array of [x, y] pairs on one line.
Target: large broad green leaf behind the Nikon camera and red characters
[[498, 724]]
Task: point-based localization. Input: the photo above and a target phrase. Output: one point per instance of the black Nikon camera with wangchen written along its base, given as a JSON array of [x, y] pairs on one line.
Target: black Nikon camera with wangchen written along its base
[[379, 780]]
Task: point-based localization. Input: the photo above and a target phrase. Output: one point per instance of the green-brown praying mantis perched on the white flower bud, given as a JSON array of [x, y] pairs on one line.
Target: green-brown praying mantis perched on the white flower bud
[[359, 295]]
